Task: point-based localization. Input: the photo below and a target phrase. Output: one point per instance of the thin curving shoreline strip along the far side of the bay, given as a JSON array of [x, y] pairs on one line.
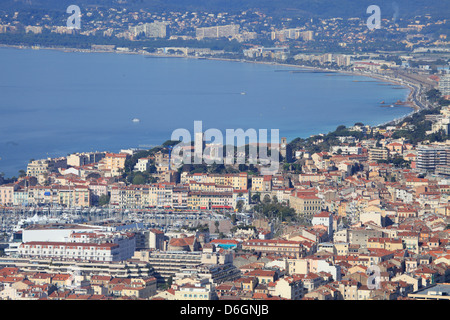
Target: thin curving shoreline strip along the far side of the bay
[[410, 100]]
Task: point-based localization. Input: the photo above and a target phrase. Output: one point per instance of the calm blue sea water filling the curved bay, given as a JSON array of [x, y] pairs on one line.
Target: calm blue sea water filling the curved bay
[[54, 103]]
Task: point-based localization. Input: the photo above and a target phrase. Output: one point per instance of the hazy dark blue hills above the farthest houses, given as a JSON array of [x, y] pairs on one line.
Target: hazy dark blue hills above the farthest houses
[[299, 8]]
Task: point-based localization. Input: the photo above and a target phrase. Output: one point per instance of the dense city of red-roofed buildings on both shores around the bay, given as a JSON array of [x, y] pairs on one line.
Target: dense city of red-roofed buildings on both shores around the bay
[[358, 213]]
